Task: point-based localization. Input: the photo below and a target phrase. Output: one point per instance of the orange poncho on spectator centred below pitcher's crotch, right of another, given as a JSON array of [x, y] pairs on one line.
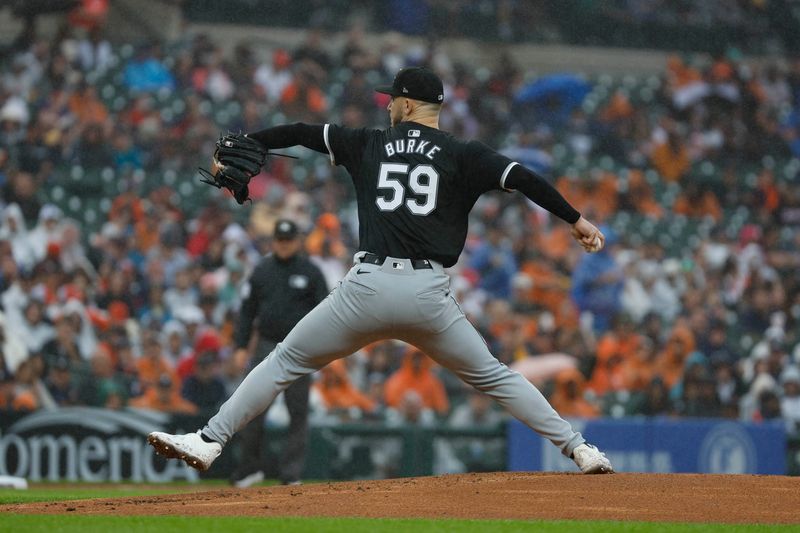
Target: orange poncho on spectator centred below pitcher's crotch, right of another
[[416, 374]]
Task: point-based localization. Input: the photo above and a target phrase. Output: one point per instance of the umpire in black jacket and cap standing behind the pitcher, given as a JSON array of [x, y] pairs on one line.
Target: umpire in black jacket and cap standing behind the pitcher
[[283, 288]]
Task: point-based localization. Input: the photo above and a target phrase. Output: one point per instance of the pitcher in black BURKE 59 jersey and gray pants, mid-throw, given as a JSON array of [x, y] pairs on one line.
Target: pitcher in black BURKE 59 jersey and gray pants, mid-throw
[[415, 186]]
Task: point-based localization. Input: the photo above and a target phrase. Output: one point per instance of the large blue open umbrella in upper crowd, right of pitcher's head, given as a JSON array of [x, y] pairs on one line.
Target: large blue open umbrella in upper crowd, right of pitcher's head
[[550, 99]]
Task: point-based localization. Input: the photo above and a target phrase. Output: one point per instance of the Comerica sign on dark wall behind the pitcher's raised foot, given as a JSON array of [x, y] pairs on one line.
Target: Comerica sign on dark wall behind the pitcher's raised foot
[[87, 444]]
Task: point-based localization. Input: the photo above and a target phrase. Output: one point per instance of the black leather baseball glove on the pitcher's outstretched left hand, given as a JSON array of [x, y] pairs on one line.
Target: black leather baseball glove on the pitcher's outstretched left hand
[[237, 158]]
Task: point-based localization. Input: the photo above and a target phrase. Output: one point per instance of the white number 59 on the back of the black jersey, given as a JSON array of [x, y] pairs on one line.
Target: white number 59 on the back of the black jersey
[[423, 180]]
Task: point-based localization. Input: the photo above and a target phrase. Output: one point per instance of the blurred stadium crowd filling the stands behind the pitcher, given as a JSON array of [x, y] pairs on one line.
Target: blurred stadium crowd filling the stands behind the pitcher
[[692, 309]]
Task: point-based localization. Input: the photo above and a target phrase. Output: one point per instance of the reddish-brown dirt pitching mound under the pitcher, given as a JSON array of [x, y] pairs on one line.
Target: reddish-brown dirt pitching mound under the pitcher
[[649, 497]]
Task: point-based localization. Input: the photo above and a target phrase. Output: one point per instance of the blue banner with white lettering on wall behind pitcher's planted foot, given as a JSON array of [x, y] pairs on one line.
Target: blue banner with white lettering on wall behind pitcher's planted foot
[[661, 445]]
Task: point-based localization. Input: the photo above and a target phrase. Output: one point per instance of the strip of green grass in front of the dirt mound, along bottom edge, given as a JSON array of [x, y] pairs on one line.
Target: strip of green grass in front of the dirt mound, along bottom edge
[[165, 524]]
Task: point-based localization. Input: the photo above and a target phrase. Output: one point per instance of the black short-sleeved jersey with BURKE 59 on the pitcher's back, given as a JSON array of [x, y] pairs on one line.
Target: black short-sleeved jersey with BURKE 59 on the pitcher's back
[[415, 186]]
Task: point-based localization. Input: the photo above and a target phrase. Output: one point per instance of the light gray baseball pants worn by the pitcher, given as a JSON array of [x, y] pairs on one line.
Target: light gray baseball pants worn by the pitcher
[[390, 301]]
